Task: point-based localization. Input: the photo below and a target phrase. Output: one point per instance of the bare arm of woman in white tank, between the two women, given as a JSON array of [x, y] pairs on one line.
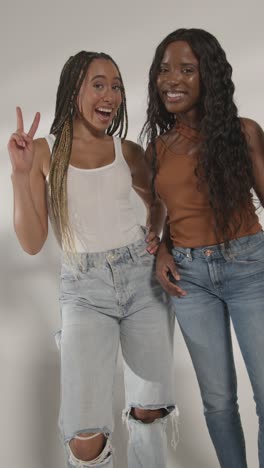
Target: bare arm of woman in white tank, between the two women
[[141, 180]]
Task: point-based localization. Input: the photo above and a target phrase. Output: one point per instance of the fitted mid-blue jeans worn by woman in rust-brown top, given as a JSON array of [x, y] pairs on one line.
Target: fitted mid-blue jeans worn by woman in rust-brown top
[[221, 285]]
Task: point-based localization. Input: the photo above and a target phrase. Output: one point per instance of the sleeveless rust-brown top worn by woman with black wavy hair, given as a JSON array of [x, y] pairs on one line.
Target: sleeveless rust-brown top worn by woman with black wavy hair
[[190, 216]]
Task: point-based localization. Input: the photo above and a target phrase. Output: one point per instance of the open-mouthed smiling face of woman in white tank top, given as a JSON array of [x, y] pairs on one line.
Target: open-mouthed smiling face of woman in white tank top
[[100, 94]]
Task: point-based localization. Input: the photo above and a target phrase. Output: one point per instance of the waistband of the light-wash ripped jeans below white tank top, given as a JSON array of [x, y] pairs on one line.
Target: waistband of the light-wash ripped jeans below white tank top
[[83, 261]]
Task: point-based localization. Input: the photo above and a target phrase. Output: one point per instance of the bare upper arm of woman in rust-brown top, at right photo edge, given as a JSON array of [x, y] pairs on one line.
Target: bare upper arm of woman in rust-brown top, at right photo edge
[[255, 139]]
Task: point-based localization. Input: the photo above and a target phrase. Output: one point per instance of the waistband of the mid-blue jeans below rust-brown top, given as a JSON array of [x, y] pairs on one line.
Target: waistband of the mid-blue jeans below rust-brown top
[[241, 244]]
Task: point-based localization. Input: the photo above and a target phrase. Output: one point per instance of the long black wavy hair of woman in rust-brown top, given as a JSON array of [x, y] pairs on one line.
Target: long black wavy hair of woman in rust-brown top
[[224, 164]]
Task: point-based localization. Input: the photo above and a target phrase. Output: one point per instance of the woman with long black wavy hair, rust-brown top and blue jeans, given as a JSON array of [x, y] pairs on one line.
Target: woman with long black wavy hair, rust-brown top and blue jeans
[[205, 162]]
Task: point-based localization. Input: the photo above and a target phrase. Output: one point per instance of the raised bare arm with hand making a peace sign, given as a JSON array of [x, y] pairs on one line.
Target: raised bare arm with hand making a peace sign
[[30, 210]]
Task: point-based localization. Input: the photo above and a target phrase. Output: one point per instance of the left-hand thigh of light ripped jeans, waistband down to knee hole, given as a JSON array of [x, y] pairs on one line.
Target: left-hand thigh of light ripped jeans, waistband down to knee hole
[[89, 346]]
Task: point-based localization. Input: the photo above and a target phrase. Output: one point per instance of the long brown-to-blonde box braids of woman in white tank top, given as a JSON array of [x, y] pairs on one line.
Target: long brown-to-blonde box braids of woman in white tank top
[[72, 76]]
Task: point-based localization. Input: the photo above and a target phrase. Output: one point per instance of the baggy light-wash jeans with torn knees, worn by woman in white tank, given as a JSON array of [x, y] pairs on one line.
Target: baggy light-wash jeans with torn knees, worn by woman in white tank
[[113, 298]]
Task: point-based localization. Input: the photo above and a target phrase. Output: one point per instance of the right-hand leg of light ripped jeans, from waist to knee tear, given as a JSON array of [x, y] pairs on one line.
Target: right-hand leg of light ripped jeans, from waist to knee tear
[[147, 340]]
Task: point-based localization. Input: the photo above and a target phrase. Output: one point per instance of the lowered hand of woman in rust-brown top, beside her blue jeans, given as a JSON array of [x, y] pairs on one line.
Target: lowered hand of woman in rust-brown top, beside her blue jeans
[[165, 267]]
